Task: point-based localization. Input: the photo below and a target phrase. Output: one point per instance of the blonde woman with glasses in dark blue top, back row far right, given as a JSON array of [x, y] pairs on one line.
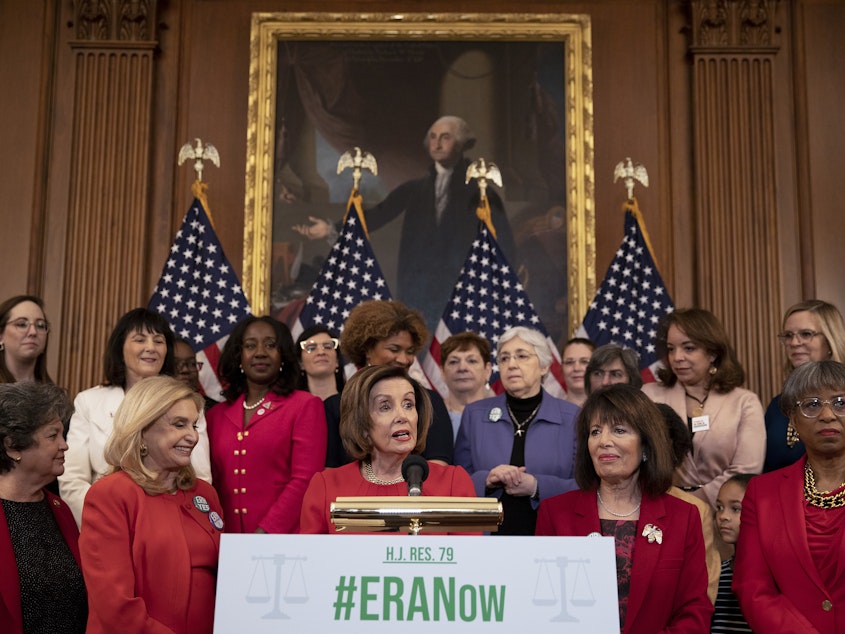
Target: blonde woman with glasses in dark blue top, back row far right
[[812, 331]]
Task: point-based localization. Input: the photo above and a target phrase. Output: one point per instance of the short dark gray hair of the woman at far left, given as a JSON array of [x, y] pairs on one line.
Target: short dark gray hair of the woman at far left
[[24, 408]]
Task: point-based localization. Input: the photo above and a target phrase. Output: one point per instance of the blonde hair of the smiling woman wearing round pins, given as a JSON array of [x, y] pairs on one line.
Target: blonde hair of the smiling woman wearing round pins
[[146, 402]]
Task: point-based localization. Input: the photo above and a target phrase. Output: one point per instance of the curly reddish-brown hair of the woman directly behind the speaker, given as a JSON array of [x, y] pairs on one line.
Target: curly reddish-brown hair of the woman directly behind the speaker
[[376, 320]]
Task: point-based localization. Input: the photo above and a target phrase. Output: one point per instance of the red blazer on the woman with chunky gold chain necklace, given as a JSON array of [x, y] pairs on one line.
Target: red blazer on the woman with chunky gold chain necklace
[[775, 579]]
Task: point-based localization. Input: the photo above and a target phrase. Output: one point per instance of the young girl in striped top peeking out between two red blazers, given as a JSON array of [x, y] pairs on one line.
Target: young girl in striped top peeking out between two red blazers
[[727, 616]]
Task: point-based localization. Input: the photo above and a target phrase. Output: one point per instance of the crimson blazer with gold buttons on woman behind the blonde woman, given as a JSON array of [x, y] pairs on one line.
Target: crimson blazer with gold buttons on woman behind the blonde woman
[[261, 472]]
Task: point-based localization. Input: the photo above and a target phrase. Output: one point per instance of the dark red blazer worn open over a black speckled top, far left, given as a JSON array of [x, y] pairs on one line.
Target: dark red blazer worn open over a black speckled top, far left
[[10, 586]]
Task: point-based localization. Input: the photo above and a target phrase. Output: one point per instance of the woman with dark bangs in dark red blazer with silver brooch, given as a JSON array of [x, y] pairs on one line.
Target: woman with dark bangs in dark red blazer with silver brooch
[[623, 466]]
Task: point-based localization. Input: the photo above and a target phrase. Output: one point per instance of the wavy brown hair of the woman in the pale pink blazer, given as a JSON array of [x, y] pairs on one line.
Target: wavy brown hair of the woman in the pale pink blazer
[[705, 330]]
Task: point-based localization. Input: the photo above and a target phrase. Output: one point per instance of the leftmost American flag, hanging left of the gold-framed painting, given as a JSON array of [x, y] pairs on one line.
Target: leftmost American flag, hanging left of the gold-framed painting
[[199, 293]]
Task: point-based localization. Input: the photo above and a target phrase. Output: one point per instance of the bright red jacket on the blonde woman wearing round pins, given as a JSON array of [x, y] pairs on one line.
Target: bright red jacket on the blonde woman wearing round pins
[[137, 560]]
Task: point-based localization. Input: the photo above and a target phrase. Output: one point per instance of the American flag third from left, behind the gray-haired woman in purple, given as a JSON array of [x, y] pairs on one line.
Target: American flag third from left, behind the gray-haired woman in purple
[[488, 299]]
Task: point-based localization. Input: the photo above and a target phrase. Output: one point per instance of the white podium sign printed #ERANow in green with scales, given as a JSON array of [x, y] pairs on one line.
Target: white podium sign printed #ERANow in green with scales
[[374, 583]]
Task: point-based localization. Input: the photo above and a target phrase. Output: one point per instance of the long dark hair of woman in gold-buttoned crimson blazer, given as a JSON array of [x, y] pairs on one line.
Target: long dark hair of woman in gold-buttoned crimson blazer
[[229, 367]]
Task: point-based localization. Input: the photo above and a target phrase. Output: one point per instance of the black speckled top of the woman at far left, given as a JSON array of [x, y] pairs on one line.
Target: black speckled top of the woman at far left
[[53, 596]]
